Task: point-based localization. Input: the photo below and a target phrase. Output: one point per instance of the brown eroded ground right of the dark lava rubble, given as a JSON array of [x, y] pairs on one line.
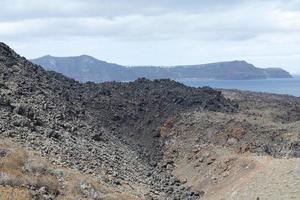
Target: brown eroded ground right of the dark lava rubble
[[251, 154]]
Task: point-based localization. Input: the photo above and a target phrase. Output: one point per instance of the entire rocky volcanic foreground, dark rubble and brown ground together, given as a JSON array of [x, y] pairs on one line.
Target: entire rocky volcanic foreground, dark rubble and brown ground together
[[141, 140]]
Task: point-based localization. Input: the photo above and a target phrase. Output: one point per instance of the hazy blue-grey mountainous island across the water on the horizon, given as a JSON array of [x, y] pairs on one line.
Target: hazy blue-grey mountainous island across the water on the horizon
[[86, 68]]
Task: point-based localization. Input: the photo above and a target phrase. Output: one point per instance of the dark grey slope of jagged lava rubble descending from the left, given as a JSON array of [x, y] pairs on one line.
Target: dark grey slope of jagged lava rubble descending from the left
[[109, 130]]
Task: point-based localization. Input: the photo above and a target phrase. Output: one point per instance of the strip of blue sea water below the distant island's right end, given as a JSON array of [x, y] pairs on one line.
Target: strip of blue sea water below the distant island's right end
[[278, 86]]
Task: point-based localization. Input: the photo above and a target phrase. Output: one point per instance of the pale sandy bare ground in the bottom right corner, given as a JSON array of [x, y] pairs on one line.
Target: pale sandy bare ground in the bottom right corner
[[274, 179]]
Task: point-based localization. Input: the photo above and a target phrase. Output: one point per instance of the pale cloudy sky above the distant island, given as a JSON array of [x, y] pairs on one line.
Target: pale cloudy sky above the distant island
[[265, 33]]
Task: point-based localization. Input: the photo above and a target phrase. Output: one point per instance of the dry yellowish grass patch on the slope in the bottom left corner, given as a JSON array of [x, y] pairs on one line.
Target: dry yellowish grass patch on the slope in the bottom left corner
[[21, 170]]
